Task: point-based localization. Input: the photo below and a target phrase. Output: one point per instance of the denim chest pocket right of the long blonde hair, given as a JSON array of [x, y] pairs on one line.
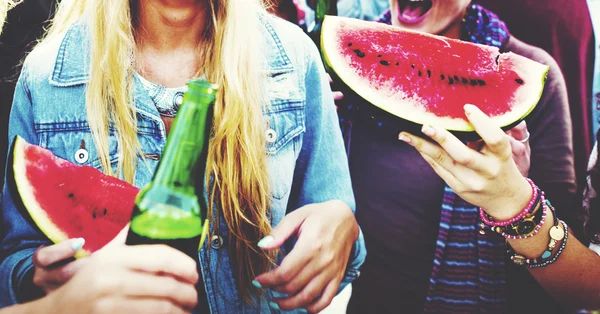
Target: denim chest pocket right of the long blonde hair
[[285, 124]]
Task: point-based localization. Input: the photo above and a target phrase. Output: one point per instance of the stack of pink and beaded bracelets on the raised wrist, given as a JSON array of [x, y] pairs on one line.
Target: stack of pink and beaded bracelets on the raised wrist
[[527, 224]]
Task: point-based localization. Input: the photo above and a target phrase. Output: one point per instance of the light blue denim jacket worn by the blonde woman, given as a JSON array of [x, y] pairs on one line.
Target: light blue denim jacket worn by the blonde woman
[[305, 151]]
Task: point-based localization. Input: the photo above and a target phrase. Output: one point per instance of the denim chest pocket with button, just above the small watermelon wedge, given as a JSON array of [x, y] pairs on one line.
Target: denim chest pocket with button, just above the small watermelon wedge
[[77, 146]]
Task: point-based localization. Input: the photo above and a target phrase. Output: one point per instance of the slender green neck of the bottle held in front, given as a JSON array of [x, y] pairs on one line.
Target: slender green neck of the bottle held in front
[[186, 143]]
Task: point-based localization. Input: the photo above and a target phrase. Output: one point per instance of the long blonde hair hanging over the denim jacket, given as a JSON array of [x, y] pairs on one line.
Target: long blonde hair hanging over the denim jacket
[[236, 158]]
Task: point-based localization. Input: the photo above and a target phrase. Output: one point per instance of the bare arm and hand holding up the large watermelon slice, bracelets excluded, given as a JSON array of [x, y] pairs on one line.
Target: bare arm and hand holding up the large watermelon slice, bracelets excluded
[[490, 179]]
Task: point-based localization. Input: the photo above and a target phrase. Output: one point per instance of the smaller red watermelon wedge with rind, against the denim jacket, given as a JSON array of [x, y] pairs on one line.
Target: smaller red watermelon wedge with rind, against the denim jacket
[[68, 201]]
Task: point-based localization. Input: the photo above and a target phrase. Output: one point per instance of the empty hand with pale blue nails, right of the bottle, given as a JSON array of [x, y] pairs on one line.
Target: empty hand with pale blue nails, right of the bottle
[[312, 272]]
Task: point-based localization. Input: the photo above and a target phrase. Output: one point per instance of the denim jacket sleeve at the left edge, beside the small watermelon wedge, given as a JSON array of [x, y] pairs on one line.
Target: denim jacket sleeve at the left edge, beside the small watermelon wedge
[[19, 237]]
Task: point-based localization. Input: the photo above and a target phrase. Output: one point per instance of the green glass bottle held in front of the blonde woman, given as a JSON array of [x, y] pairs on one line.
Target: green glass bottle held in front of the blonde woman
[[168, 210]]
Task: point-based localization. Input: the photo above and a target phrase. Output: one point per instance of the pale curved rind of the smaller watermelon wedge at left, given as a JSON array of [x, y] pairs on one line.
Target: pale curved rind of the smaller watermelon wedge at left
[[23, 194]]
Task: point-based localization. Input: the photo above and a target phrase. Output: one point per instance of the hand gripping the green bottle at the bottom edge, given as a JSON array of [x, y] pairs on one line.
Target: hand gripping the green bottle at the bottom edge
[[130, 279]]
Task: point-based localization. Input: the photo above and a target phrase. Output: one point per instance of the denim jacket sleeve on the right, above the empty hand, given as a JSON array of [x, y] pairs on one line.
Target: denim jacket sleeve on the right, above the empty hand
[[322, 171]]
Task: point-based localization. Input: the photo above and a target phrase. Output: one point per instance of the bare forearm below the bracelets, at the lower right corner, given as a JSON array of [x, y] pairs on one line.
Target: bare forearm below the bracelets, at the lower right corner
[[574, 279]]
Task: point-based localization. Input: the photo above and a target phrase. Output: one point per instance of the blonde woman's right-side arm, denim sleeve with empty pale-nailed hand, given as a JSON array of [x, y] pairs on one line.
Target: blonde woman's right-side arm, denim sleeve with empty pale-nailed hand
[[330, 248]]
